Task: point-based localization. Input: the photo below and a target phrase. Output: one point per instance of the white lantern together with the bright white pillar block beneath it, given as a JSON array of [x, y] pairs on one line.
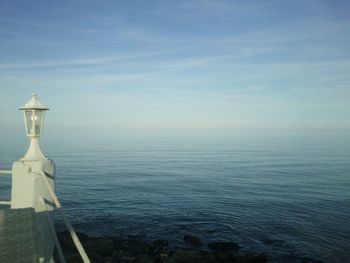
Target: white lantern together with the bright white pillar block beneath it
[[27, 187]]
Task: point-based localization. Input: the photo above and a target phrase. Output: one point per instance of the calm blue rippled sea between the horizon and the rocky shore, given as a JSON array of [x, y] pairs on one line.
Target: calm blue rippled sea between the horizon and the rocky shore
[[283, 193]]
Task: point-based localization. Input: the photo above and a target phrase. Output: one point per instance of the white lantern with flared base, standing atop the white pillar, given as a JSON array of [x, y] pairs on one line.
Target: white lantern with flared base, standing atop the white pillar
[[34, 113]]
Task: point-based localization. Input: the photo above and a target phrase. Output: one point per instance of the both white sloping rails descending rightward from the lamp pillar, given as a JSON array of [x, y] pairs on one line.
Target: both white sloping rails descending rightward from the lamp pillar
[[67, 223]]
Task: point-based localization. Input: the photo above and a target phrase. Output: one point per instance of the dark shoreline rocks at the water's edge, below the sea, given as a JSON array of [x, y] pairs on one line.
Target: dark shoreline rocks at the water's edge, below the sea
[[136, 250]]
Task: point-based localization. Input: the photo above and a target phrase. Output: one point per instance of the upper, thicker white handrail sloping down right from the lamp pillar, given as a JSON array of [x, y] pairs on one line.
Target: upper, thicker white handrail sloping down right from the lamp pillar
[[66, 220]]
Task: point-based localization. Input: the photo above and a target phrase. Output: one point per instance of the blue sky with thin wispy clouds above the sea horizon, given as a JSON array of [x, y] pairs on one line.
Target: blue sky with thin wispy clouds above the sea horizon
[[177, 64]]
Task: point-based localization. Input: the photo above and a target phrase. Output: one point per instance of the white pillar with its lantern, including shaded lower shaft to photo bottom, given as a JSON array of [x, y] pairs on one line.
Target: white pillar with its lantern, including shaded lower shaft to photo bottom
[[28, 188]]
